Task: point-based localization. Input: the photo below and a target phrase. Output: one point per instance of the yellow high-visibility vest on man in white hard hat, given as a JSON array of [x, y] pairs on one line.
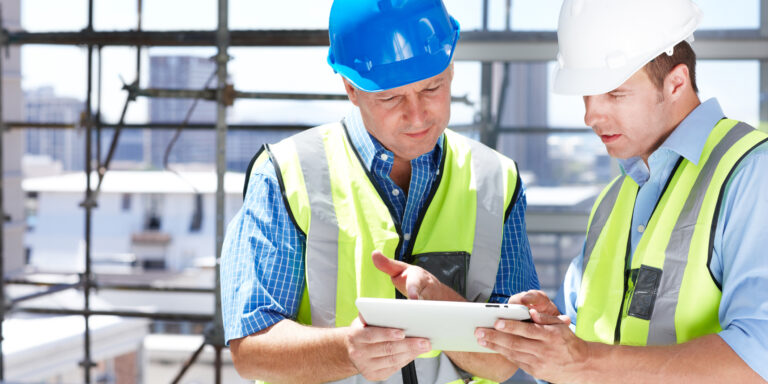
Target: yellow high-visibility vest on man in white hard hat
[[668, 294]]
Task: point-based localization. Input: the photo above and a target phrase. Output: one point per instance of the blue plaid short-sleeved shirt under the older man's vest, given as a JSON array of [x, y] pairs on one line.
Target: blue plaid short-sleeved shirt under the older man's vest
[[262, 268]]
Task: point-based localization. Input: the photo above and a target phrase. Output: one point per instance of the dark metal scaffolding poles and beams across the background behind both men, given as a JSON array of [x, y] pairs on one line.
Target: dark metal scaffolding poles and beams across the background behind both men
[[486, 47]]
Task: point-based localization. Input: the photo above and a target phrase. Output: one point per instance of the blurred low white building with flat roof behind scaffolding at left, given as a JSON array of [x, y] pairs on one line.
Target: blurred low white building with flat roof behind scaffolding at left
[[145, 219]]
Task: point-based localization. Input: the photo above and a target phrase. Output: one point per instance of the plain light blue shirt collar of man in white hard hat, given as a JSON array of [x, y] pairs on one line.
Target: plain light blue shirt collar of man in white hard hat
[[687, 140]]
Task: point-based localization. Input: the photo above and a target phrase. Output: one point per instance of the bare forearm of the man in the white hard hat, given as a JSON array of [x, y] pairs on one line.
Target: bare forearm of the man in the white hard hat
[[705, 360]]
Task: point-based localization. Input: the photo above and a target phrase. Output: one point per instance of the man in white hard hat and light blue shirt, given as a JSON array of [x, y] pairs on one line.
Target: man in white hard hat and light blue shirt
[[672, 282]]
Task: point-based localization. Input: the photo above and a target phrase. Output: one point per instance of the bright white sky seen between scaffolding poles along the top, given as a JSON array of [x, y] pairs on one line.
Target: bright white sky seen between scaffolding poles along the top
[[304, 69]]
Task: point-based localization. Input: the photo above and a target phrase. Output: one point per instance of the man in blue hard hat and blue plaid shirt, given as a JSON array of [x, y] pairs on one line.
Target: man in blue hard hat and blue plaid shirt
[[386, 203]]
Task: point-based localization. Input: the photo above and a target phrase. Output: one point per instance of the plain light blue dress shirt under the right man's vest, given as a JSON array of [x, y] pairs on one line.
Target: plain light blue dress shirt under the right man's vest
[[740, 256]]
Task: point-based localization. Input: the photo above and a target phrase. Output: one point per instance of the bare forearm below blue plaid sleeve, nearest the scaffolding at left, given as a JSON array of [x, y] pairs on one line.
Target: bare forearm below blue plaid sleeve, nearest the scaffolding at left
[[289, 352]]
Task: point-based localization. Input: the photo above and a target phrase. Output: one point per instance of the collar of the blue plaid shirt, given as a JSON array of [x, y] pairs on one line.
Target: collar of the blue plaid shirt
[[369, 147]]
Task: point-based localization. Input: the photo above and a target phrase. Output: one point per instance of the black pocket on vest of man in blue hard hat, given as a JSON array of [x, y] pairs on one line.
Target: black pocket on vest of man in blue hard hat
[[449, 267]]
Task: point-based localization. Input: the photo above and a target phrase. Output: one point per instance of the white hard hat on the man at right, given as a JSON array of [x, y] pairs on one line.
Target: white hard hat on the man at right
[[604, 42]]
